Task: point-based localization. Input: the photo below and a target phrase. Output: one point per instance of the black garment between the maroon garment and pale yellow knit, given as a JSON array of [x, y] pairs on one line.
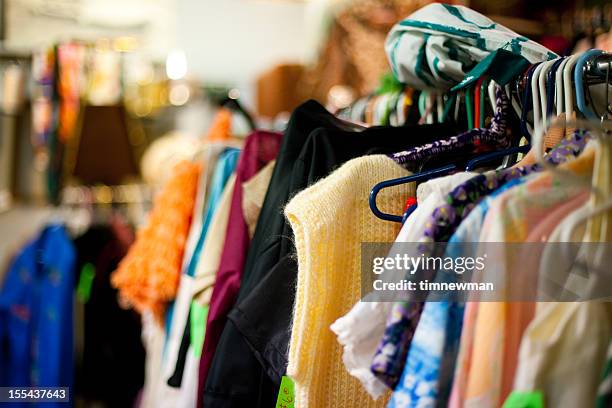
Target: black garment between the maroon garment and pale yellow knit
[[258, 336]]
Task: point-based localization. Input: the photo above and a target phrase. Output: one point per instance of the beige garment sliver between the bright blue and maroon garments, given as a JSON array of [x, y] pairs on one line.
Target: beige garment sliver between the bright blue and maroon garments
[[208, 263]]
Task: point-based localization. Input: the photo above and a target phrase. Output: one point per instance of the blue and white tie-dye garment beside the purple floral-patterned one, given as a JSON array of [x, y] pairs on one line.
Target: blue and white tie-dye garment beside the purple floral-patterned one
[[428, 373]]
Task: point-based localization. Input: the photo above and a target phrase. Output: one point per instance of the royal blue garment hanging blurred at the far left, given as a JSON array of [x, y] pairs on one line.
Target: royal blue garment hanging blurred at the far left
[[36, 314]]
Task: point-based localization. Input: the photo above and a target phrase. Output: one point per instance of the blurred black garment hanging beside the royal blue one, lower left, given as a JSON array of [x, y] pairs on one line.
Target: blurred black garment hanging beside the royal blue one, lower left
[[112, 367]]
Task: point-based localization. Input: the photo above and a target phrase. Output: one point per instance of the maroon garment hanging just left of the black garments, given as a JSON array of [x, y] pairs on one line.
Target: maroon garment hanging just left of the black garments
[[260, 148]]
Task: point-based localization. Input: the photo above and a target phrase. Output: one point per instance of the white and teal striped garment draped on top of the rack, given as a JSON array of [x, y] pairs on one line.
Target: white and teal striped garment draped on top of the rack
[[436, 46]]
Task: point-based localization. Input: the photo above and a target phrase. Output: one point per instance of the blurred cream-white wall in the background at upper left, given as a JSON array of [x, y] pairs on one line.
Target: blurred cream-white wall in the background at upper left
[[227, 42]]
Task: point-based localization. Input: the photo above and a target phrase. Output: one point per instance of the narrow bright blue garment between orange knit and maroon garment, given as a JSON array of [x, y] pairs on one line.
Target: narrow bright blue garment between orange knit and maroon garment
[[226, 164]]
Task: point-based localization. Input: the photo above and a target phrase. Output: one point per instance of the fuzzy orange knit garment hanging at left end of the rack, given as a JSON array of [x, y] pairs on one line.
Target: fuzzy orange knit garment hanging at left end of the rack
[[148, 277]]
